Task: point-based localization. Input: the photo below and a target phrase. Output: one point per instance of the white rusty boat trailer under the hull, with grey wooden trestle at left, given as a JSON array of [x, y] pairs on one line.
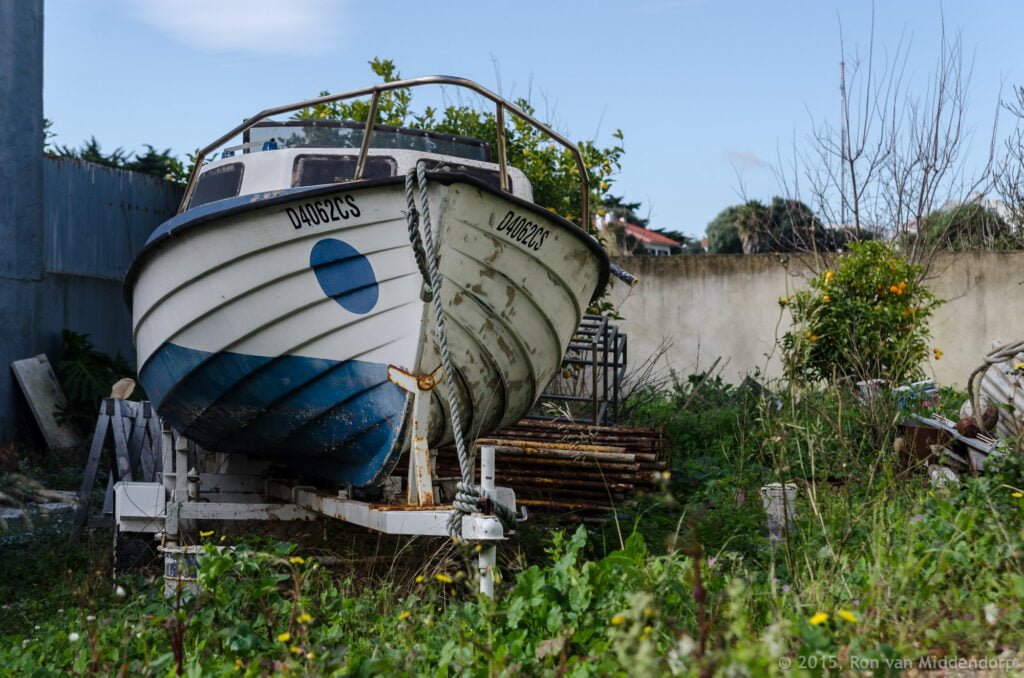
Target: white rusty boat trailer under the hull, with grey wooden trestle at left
[[183, 485]]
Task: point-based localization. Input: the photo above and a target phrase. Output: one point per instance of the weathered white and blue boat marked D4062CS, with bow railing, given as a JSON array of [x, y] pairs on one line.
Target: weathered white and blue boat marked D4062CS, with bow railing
[[269, 312]]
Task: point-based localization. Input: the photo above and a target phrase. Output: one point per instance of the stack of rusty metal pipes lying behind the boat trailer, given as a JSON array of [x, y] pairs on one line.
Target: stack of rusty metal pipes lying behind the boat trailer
[[573, 471]]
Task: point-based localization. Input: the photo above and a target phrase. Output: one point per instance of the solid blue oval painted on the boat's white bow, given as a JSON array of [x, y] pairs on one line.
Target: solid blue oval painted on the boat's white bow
[[345, 275]]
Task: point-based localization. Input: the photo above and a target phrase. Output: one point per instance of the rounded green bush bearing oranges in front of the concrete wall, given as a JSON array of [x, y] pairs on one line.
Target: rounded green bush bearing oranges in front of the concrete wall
[[867, 320]]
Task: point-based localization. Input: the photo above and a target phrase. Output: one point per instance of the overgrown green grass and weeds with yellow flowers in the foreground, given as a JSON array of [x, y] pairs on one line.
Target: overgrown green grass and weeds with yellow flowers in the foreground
[[879, 567]]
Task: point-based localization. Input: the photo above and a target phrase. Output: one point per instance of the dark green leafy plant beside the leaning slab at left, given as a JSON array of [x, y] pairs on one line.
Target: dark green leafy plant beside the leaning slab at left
[[87, 376]]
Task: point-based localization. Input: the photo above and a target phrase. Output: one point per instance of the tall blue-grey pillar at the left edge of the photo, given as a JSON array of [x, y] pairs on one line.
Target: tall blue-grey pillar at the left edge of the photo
[[21, 191]]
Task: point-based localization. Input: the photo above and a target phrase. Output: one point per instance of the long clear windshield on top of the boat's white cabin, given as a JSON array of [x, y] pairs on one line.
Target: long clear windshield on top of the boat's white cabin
[[338, 135]]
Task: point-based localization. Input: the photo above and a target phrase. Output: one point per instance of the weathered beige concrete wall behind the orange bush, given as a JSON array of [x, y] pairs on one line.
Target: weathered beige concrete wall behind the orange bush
[[728, 306]]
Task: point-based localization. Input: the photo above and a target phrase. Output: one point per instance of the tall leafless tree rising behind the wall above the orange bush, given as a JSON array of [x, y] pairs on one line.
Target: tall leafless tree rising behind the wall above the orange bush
[[899, 153]]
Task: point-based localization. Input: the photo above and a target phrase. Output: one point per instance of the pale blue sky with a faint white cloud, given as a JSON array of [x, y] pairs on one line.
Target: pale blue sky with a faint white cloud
[[710, 95]]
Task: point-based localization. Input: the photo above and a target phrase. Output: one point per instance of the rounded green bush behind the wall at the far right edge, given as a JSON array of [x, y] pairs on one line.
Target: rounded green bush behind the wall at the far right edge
[[970, 227]]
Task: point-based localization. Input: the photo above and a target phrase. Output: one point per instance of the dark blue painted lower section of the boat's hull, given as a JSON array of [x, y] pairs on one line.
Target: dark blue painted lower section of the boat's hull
[[337, 421]]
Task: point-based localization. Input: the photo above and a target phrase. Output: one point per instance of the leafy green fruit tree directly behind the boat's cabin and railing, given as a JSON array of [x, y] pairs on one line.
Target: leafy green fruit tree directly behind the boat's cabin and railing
[[551, 169]]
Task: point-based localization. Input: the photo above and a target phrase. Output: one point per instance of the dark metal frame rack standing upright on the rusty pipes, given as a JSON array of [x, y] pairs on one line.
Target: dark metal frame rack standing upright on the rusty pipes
[[591, 383]]
